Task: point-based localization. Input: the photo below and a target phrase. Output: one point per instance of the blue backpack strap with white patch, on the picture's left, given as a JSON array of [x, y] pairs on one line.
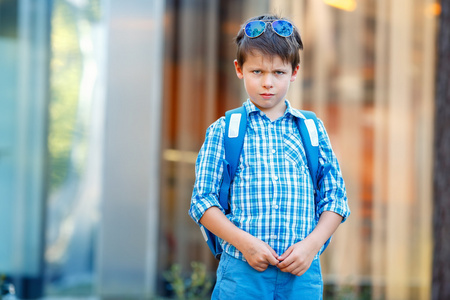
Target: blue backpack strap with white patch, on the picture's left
[[235, 127]]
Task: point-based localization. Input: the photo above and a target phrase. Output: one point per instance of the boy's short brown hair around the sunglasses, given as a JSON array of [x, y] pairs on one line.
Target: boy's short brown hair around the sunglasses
[[269, 43]]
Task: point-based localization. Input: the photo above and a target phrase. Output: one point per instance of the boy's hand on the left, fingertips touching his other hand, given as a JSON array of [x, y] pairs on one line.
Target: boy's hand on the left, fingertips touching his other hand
[[259, 254]]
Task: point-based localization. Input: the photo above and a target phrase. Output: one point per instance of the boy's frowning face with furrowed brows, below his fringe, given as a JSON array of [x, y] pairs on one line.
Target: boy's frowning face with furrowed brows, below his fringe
[[266, 80]]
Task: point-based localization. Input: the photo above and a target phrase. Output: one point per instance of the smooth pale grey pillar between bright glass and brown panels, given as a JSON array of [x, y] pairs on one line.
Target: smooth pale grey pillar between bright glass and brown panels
[[129, 227]]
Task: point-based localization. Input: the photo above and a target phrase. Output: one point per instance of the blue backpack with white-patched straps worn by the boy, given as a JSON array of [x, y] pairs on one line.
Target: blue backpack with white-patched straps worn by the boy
[[235, 127]]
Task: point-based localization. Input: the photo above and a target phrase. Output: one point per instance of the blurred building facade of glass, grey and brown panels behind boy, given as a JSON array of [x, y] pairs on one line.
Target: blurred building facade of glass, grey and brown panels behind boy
[[104, 105]]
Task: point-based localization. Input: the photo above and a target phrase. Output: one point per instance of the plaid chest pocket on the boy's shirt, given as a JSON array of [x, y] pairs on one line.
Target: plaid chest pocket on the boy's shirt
[[294, 153]]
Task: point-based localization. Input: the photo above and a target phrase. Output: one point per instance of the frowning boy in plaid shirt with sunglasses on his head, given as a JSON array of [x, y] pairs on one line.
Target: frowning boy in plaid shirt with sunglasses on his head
[[275, 232]]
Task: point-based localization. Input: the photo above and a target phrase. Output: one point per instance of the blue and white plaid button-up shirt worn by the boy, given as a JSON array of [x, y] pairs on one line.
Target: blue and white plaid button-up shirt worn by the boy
[[272, 195]]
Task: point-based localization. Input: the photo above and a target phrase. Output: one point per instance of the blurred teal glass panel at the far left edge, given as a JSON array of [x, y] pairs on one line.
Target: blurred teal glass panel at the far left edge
[[24, 32]]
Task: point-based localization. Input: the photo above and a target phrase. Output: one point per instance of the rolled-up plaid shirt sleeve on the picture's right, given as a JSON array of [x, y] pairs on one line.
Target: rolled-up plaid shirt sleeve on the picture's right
[[333, 196]]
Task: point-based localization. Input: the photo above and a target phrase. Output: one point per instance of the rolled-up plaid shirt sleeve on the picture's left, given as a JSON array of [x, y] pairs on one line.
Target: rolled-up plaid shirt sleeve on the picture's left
[[208, 171]]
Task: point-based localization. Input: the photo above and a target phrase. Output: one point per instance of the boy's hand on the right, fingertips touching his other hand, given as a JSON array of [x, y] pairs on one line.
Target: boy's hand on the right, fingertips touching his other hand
[[297, 259]]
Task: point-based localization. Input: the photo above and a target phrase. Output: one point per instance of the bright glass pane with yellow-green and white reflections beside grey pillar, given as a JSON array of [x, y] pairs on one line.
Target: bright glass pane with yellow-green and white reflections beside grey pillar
[[73, 143]]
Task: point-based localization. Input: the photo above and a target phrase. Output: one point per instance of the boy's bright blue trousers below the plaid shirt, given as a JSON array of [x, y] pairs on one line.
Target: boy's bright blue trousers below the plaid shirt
[[236, 279]]
